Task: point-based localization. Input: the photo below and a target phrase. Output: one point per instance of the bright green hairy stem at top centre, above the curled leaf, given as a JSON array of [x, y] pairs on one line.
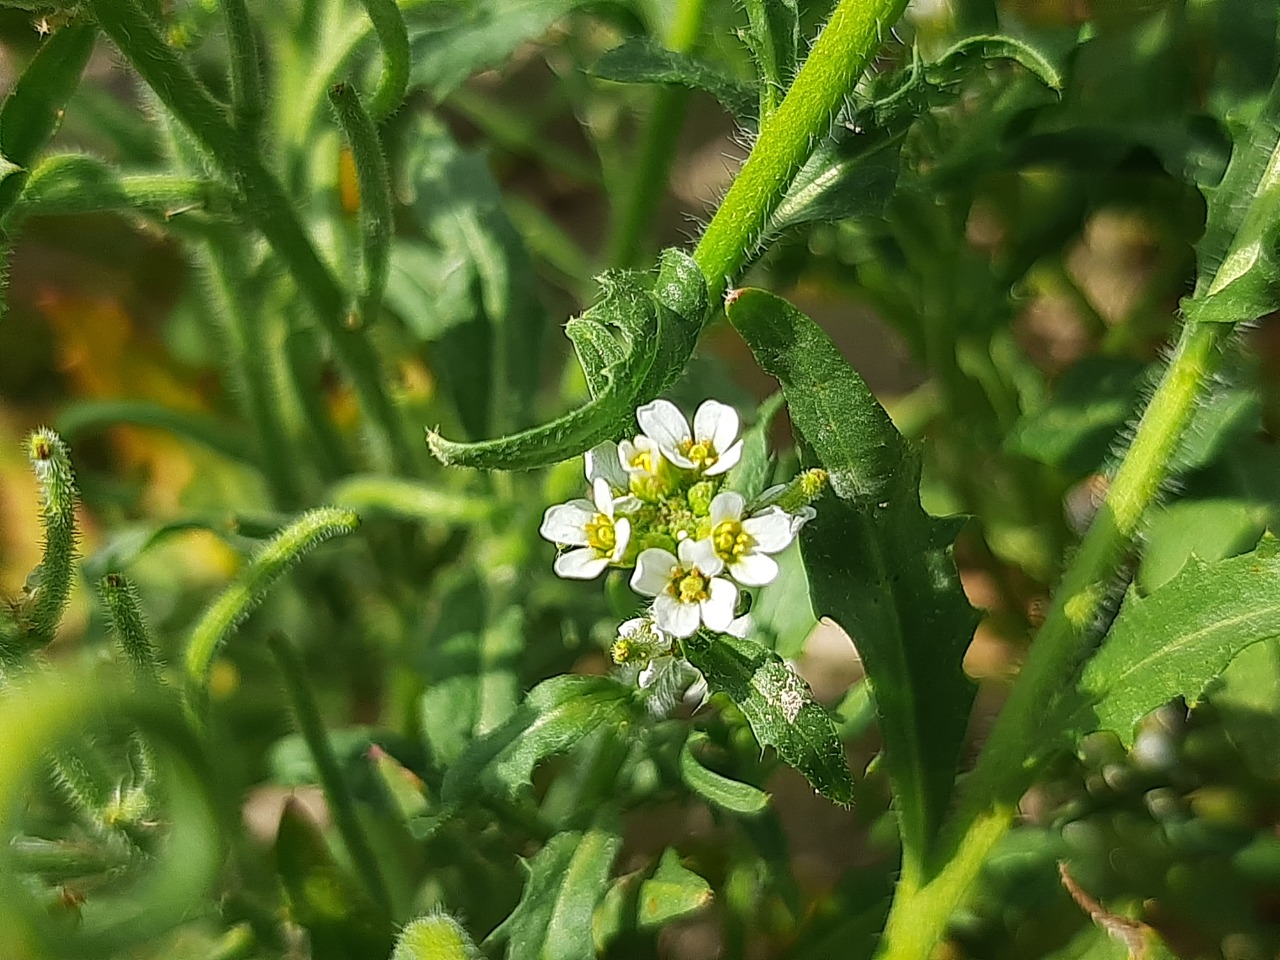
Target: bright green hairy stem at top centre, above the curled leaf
[[842, 54]]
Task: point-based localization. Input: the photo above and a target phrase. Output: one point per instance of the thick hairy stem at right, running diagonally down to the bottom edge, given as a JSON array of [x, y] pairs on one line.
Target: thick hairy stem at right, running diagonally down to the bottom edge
[[990, 796]]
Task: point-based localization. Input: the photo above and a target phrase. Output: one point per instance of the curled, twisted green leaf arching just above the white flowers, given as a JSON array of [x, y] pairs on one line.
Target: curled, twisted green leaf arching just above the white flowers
[[657, 332]]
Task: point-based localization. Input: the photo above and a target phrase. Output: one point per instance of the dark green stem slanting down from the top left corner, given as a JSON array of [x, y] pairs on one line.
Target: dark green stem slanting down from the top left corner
[[269, 208]]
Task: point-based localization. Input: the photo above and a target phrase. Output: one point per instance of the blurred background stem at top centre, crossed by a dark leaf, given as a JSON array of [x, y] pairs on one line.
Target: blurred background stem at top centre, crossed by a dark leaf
[[662, 130]]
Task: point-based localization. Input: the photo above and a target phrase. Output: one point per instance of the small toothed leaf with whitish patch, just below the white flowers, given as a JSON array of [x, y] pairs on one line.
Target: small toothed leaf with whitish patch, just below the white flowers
[[780, 707]]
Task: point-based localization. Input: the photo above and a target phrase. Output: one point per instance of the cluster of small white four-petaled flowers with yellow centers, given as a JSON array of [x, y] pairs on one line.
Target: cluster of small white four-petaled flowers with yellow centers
[[660, 505]]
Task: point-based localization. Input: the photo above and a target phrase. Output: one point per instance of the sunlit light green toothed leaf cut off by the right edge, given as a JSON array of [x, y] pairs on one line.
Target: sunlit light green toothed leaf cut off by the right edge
[[1177, 641]]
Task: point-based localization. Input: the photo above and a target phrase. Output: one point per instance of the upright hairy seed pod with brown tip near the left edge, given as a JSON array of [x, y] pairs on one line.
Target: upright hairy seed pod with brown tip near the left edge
[[51, 584]]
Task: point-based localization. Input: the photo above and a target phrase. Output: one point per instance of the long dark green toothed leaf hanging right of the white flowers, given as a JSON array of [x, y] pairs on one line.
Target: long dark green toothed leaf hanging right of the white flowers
[[879, 565]]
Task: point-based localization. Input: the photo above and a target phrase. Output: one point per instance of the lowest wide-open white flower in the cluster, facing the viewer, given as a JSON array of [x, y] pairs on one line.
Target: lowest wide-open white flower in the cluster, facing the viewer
[[687, 592]]
